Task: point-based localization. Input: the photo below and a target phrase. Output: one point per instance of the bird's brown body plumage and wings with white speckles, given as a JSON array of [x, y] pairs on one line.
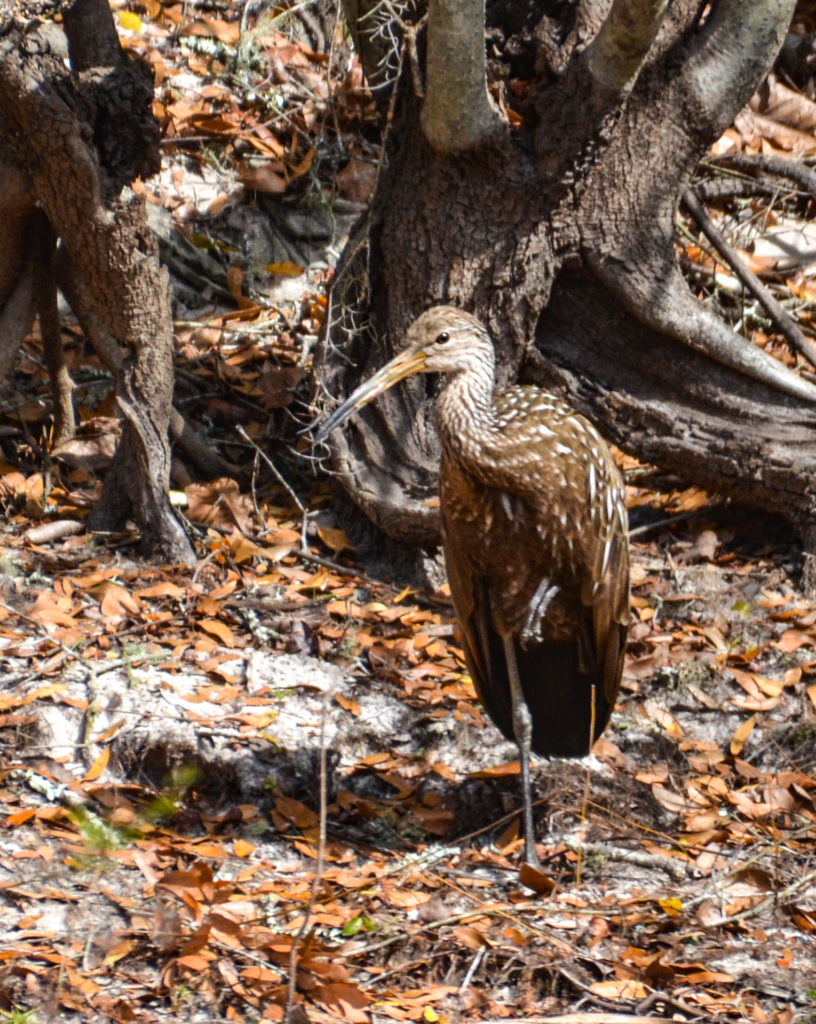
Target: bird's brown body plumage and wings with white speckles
[[548, 506]]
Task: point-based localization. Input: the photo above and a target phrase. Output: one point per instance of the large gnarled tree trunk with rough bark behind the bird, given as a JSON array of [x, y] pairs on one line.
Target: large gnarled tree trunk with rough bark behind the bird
[[550, 214]]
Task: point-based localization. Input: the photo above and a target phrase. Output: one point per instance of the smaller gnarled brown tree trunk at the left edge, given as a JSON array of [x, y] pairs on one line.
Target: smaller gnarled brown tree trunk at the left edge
[[73, 139]]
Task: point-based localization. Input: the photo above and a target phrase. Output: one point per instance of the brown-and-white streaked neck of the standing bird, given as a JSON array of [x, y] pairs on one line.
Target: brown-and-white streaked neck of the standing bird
[[465, 413]]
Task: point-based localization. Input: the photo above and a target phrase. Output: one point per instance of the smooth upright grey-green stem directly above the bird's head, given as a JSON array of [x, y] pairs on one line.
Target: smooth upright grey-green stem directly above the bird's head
[[458, 115]]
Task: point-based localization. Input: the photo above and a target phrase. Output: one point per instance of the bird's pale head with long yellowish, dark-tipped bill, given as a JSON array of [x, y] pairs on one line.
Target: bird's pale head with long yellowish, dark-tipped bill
[[443, 340]]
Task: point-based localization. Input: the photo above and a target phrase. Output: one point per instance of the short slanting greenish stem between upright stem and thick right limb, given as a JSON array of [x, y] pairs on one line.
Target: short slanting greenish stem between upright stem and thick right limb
[[617, 55]]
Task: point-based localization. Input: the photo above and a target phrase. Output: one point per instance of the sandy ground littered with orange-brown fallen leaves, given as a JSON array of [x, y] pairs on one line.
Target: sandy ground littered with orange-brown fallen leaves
[[273, 767]]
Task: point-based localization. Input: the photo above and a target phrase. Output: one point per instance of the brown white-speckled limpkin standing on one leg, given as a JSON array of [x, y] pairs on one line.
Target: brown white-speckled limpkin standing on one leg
[[536, 542]]
